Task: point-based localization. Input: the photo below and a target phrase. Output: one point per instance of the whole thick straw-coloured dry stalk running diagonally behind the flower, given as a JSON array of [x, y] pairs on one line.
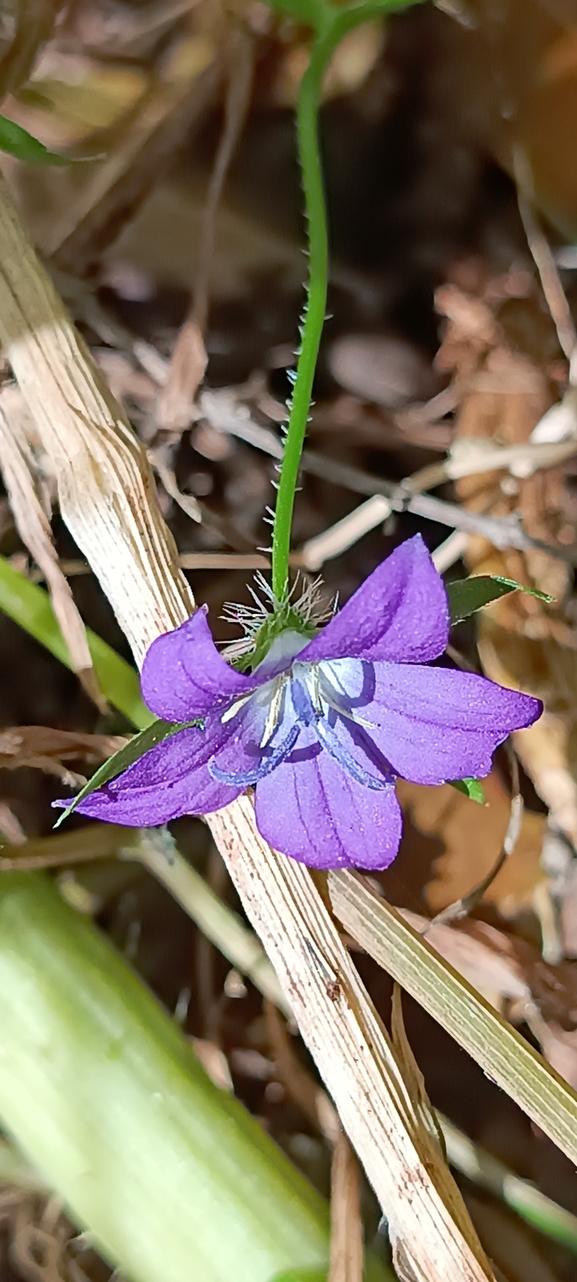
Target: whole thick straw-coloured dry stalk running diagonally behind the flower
[[107, 498]]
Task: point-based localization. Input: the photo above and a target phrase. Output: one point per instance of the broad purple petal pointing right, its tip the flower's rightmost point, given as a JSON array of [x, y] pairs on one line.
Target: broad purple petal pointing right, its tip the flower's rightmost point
[[437, 725]]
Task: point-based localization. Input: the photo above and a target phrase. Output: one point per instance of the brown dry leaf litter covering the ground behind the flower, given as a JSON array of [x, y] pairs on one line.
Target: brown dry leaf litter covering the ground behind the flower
[[498, 357]]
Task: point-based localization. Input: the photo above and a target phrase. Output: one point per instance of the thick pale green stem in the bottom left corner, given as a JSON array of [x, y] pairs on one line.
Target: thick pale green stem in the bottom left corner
[[172, 1178]]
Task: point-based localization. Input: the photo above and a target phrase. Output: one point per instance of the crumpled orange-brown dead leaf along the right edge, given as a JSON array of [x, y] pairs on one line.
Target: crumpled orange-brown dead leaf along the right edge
[[523, 643]]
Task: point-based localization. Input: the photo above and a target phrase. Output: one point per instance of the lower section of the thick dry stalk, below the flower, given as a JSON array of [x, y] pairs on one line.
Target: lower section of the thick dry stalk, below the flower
[[357, 1061]]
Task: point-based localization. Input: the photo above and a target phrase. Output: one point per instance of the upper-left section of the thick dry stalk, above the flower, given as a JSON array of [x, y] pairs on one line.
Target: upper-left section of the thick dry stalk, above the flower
[[106, 489]]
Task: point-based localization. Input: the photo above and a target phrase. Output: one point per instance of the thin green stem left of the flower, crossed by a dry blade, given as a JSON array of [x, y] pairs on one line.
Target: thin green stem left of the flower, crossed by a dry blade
[[31, 608]]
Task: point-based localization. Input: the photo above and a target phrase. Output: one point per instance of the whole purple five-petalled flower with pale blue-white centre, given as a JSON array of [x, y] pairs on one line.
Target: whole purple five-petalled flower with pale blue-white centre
[[324, 728]]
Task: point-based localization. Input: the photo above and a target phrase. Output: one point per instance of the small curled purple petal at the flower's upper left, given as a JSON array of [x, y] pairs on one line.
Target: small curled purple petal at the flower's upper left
[[184, 676]]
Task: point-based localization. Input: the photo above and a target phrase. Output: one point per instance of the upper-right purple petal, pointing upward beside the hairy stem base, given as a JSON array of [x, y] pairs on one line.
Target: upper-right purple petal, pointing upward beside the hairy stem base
[[399, 615]]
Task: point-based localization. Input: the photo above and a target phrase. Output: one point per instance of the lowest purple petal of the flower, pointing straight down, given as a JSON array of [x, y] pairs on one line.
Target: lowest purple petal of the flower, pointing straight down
[[314, 812]]
